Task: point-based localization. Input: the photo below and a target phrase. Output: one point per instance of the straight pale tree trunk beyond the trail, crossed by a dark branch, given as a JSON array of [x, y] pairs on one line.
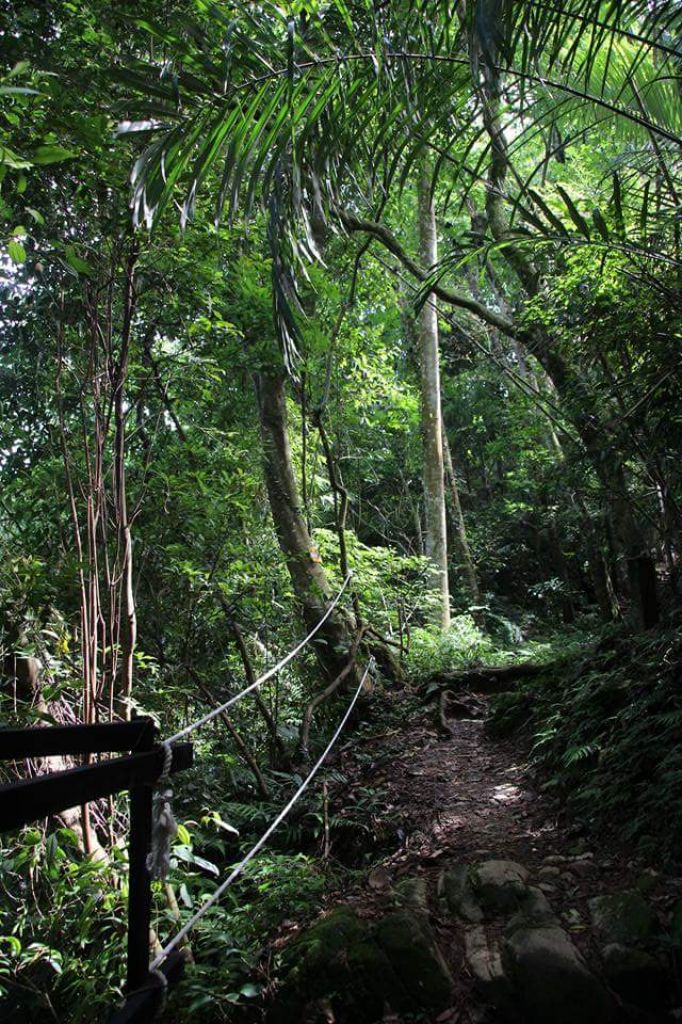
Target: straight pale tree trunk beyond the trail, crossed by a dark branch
[[435, 489]]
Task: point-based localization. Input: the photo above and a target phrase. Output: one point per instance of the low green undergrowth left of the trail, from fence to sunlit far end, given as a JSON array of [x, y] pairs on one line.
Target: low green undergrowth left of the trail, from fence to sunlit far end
[[48, 957]]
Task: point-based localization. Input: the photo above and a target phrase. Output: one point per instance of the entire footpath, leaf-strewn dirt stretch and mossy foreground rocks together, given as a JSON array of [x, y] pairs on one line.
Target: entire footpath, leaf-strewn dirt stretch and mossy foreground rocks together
[[489, 909]]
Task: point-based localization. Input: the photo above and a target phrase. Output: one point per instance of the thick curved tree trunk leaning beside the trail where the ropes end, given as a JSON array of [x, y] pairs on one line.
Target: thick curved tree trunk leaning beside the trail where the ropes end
[[309, 578]]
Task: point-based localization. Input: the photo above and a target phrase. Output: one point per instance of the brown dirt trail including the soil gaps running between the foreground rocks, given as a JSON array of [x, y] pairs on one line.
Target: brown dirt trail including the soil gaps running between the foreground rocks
[[465, 799]]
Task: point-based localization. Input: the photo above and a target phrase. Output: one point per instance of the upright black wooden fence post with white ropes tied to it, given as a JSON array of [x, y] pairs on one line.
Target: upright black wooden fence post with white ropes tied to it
[[140, 886]]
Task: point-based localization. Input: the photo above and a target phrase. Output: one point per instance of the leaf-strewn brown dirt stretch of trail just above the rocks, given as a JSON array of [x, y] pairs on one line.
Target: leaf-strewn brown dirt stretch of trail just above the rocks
[[464, 797]]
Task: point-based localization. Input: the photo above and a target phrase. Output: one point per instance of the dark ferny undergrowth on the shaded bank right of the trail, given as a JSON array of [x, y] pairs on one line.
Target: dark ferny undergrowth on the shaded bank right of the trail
[[607, 732]]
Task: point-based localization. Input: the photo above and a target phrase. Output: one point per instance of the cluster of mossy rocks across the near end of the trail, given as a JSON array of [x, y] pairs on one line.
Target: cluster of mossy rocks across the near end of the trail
[[523, 961]]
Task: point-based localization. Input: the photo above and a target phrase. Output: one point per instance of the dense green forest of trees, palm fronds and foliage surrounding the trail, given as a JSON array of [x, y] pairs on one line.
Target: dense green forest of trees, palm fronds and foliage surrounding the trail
[[312, 295]]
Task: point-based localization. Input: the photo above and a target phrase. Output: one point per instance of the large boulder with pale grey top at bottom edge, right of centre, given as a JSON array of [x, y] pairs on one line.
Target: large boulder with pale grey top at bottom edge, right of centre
[[553, 984]]
